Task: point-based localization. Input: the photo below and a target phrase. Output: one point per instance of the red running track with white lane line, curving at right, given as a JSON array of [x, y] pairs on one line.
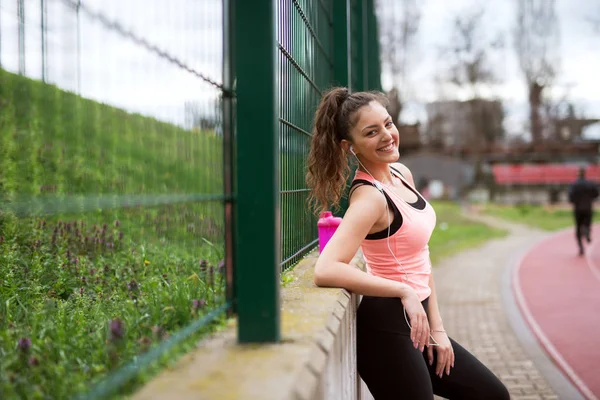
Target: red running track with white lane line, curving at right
[[558, 293]]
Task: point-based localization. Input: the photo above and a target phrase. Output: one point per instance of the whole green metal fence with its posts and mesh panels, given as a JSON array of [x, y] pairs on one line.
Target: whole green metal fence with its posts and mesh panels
[[152, 163]]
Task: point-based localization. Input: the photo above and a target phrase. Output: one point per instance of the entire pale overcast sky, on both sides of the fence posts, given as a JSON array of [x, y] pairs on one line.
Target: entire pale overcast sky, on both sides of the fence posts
[[115, 70]]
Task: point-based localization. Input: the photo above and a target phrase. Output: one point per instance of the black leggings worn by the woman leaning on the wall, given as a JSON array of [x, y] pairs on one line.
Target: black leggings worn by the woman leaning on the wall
[[393, 369]]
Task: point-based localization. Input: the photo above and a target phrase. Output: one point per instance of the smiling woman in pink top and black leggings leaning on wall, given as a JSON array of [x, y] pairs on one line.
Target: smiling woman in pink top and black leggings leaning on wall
[[403, 350]]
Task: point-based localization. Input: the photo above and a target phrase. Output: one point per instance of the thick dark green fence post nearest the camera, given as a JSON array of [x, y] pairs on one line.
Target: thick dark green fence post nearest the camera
[[258, 253]]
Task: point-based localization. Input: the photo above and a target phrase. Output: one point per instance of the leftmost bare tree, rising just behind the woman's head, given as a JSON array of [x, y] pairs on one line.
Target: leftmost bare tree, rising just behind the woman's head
[[399, 21]]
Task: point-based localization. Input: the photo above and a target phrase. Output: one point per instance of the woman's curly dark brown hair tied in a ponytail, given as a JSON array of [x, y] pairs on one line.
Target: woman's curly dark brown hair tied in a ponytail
[[328, 168]]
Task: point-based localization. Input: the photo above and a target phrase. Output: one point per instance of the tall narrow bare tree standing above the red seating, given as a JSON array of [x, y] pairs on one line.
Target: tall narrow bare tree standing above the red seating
[[536, 44]]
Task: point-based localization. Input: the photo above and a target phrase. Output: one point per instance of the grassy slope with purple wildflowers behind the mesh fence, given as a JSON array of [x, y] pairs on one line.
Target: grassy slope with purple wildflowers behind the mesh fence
[[88, 286]]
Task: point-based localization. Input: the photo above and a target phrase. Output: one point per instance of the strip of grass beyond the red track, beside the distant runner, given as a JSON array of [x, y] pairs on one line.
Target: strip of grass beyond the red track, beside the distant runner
[[545, 218]]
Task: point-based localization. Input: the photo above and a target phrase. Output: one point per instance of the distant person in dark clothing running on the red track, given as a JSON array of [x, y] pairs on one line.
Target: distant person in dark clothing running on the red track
[[582, 194]]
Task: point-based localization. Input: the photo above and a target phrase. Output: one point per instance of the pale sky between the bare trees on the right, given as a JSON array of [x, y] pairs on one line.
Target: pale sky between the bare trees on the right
[[579, 52]]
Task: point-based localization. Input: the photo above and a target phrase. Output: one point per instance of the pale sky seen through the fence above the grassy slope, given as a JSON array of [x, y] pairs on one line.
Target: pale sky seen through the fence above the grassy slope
[[114, 69]]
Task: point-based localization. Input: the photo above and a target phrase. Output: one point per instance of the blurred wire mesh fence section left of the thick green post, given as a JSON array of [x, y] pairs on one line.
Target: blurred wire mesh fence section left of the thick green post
[[116, 185]]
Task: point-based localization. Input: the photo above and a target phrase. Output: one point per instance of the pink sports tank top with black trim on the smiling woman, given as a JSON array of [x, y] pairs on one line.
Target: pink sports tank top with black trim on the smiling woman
[[410, 231]]
